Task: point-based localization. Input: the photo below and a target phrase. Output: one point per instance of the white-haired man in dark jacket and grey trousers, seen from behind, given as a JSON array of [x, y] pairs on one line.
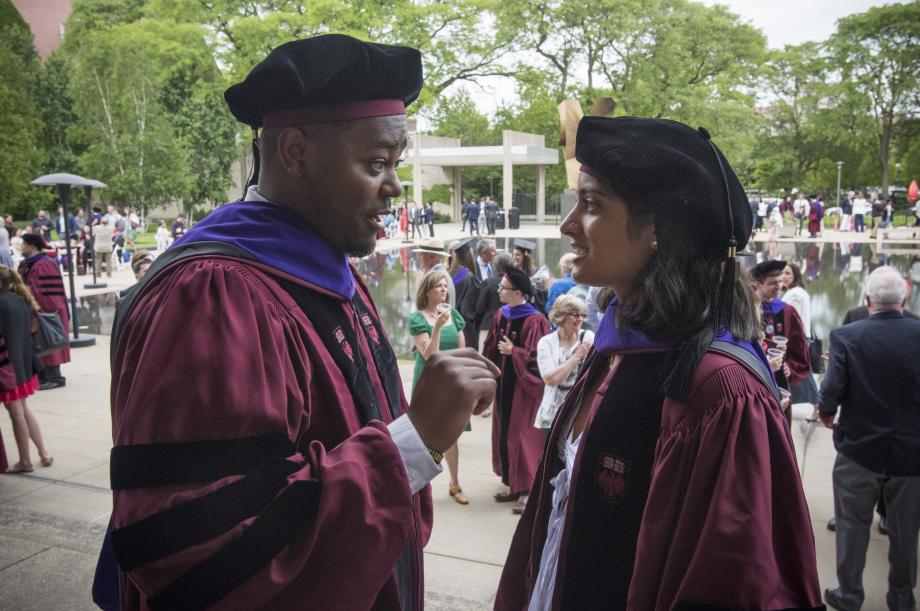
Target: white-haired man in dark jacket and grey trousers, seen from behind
[[874, 376]]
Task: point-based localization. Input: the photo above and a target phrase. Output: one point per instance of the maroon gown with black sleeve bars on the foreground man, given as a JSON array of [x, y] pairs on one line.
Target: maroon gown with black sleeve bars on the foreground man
[[215, 349]]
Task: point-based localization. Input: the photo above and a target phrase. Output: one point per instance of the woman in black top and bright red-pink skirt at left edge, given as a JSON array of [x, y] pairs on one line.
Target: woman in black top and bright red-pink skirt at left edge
[[16, 311]]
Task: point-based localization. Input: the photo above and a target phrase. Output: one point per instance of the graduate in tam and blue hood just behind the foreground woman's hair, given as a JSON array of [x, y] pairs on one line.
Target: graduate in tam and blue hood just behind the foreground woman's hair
[[780, 319]]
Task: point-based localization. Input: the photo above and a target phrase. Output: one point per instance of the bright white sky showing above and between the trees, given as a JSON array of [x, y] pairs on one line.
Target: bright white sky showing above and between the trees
[[782, 21]]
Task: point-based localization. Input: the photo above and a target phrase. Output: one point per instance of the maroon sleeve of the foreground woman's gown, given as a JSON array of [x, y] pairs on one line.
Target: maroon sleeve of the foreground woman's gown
[[726, 525]]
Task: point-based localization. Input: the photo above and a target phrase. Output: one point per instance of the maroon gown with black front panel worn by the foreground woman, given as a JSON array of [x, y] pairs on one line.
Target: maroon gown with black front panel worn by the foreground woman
[[722, 518]]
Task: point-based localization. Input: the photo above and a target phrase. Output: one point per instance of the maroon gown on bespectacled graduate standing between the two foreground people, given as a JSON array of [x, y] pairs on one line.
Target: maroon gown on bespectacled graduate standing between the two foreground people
[[522, 442]]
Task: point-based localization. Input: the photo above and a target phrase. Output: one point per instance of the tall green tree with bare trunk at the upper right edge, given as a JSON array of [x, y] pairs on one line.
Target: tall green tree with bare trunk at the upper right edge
[[879, 55]]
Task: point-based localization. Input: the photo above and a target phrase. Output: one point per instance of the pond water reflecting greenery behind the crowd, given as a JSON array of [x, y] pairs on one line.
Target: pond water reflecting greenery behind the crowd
[[834, 274]]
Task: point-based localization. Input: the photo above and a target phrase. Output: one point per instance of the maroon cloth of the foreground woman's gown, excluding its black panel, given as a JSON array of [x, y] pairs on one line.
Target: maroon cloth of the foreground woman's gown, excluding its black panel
[[725, 523]]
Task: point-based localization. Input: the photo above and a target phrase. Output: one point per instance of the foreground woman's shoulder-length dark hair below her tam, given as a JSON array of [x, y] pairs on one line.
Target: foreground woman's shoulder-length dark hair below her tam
[[677, 296]]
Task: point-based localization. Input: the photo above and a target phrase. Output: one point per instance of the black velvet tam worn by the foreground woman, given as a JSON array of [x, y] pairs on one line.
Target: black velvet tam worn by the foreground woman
[[668, 168]]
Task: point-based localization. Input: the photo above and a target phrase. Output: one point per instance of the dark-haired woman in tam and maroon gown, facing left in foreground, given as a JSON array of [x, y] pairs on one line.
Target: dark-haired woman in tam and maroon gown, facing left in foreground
[[669, 479]]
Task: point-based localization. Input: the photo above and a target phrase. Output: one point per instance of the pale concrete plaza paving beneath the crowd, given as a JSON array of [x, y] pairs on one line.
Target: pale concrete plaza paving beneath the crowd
[[52, 520]]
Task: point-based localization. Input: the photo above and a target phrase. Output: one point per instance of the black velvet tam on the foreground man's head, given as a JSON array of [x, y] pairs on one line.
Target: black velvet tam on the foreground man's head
[[325, 73]]
